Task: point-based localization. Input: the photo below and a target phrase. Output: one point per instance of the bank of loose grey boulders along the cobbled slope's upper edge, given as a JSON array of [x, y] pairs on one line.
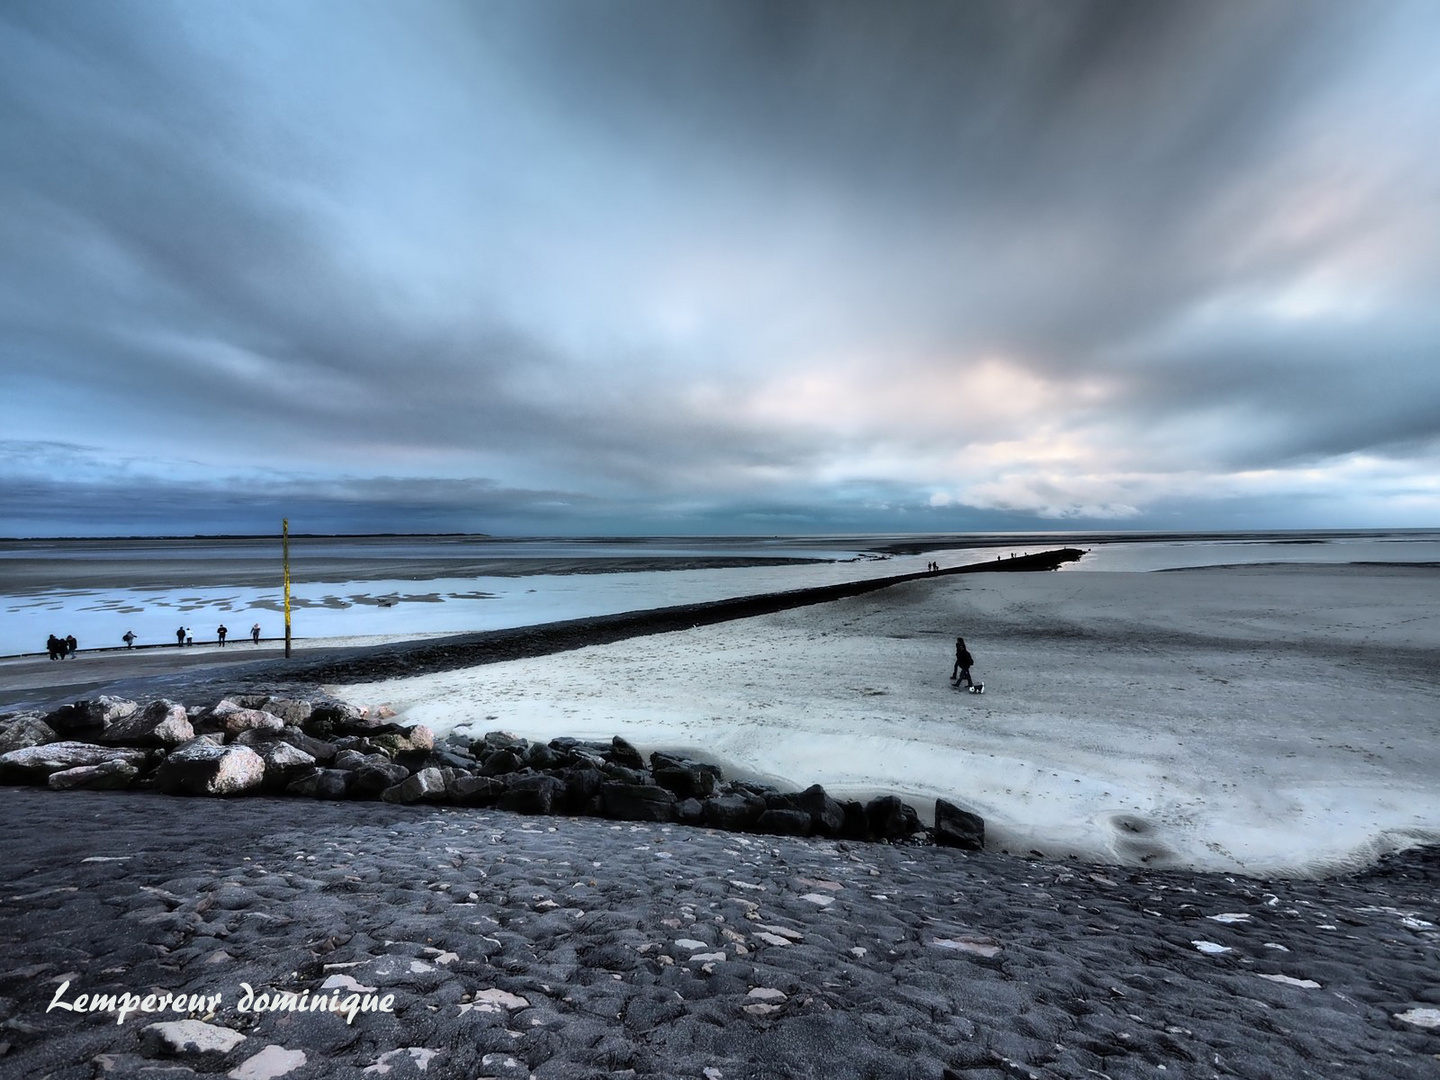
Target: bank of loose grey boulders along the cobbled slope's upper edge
[[333, 751]]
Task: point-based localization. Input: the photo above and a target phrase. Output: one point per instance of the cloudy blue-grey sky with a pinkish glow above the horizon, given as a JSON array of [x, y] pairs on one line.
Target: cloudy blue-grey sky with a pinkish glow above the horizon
[[580, 267]]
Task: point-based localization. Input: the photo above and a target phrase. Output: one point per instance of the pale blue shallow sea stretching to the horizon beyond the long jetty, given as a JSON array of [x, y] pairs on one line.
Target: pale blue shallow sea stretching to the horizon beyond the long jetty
[[99, 590]]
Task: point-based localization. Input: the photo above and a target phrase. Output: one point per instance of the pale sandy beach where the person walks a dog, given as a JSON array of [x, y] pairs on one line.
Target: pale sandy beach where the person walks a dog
[[1251, 719]]
